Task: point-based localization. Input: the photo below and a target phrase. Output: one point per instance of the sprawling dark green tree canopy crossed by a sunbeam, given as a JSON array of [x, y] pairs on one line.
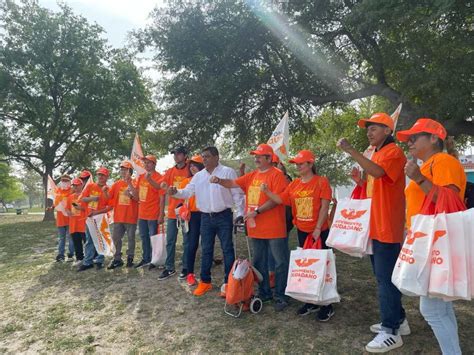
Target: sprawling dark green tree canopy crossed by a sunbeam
[[235, 67]]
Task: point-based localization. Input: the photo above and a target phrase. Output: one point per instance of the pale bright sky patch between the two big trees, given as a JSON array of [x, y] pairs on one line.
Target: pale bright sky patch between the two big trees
[[118, 18]]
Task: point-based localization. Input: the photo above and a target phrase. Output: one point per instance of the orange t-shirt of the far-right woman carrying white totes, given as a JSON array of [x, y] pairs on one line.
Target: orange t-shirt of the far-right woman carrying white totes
[[441, 169]]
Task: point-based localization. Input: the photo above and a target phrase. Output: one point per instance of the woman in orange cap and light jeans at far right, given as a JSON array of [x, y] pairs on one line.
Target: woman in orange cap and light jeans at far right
[[425, 141]]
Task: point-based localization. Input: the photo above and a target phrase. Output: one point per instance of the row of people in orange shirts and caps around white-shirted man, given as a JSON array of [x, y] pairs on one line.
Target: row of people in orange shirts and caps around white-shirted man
[[218, 197]]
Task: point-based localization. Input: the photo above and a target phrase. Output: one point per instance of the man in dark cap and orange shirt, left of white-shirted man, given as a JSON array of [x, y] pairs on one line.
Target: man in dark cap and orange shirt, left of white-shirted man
[[174, 177]]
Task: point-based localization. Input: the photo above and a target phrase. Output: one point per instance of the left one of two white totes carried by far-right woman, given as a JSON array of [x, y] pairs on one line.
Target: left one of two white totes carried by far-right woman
[[411, 274]]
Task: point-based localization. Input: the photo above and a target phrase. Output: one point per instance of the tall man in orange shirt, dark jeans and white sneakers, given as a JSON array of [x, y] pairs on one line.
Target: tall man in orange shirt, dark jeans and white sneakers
[[385, 185]]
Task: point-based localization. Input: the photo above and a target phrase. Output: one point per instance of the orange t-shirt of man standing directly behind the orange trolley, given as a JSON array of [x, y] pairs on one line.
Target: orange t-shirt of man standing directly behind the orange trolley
[[272, 223]]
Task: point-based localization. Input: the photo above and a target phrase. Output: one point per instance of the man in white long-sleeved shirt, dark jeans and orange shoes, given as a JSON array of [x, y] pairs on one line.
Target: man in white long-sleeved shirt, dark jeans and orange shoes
[[215, 203]]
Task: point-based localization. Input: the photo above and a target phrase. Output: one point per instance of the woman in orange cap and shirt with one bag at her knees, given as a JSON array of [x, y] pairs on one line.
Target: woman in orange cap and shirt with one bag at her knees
[[309, 197]]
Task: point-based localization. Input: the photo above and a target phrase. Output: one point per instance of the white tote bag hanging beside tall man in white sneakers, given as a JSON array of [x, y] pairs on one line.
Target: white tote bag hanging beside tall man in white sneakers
[[349, 231]]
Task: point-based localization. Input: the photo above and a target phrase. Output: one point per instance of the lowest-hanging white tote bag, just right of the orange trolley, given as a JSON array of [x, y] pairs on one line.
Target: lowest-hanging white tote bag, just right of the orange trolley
[[306, 274]]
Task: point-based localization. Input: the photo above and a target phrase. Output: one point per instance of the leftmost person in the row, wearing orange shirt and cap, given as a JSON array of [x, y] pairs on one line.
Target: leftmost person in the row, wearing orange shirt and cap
[[62, 220]]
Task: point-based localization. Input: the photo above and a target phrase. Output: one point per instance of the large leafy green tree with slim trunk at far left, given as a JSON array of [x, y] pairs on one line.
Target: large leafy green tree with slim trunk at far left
[[67, 98]]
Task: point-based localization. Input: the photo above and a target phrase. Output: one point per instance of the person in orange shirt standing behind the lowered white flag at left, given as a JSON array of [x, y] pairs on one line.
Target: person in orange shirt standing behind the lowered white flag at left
[[96, 196]]
